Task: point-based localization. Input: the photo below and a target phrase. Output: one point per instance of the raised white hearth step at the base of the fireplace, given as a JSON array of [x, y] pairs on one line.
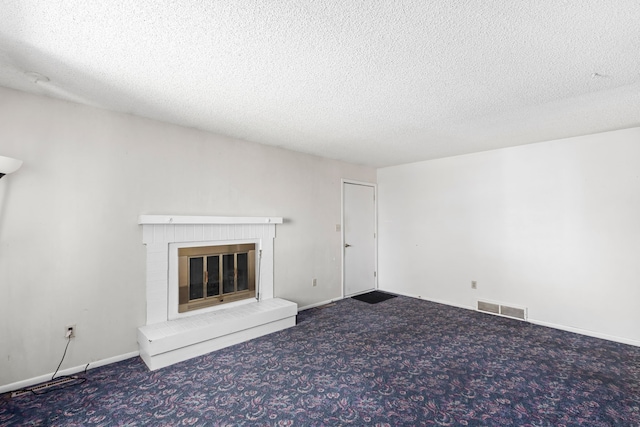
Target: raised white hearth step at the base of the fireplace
[[163, 344]]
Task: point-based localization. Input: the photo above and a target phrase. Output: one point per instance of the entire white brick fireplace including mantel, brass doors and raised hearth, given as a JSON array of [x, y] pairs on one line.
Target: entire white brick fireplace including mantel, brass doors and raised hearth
[[227, 275]]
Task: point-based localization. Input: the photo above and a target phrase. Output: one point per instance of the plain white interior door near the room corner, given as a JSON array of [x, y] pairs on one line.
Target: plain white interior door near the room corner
[[359, 228]]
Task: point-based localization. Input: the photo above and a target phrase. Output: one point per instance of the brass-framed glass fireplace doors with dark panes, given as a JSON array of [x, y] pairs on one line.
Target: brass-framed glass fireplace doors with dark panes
[[212, 275]]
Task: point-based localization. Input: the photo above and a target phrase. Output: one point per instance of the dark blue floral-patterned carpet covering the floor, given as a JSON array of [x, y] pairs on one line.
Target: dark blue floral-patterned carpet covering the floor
[[402, 362]]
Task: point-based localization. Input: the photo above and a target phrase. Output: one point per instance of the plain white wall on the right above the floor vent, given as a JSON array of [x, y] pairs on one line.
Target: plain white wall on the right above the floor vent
[[553, 226]]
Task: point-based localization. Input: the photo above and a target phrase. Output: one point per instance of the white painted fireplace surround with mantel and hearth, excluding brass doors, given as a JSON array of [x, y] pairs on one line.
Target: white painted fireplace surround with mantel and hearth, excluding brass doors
[[170, 337]]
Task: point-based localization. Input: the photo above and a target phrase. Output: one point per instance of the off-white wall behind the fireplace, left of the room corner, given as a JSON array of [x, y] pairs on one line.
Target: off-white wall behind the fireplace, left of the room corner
[[70, 248]]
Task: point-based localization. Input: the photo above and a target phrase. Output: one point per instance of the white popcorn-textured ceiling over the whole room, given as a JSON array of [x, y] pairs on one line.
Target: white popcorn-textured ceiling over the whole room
[[377, 83]]
